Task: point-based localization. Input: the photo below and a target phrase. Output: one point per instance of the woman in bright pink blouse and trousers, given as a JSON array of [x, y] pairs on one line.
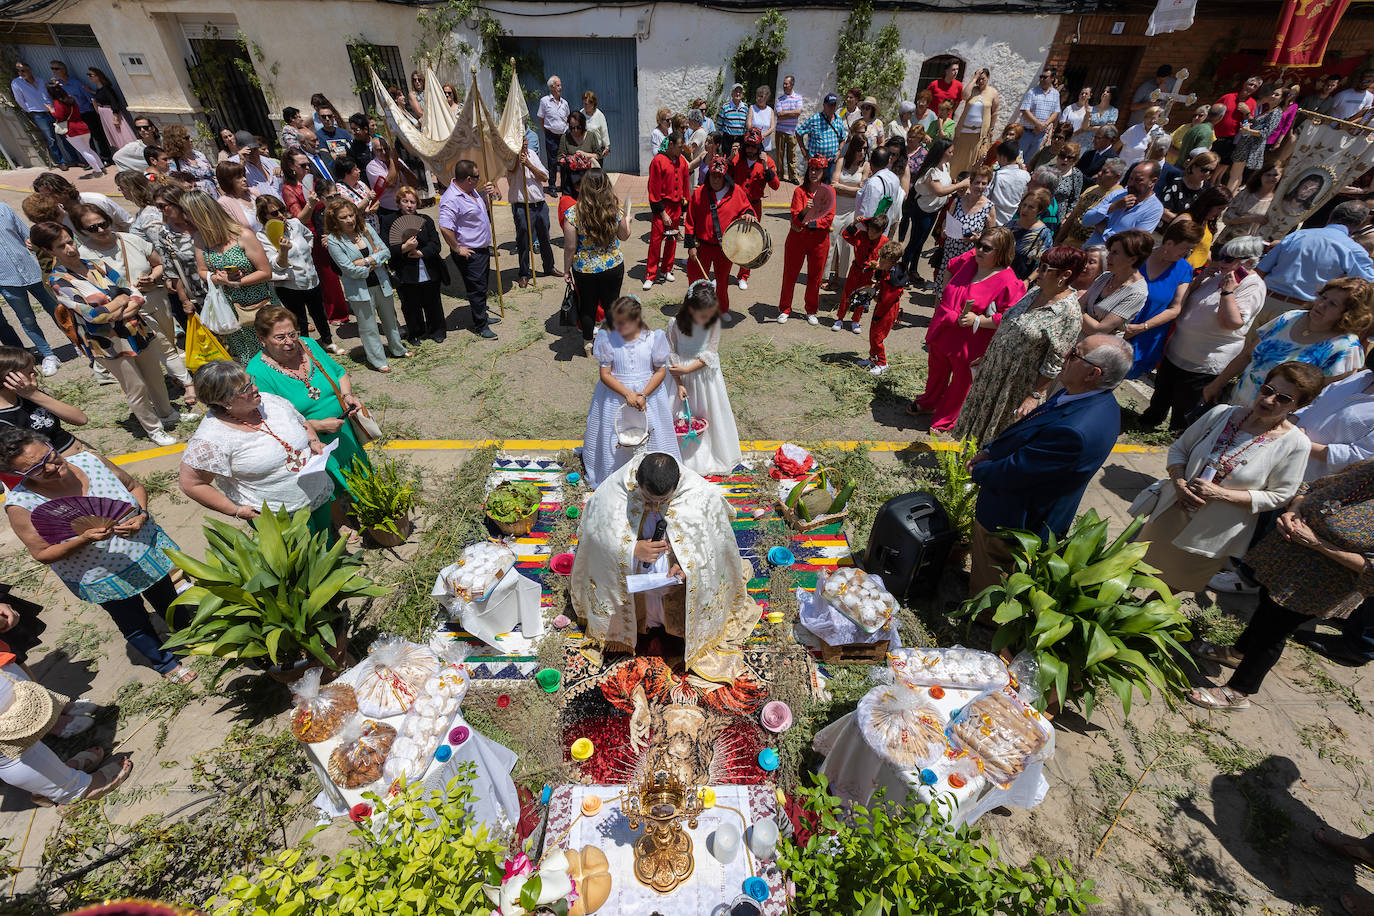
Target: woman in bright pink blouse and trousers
[[982, 288]]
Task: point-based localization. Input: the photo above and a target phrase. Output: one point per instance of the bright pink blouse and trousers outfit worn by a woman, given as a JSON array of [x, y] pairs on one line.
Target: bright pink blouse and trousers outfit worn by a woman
[[954, 348]]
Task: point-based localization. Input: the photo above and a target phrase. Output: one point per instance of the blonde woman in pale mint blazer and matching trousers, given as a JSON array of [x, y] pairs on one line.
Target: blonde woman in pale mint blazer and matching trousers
[[361, 257]]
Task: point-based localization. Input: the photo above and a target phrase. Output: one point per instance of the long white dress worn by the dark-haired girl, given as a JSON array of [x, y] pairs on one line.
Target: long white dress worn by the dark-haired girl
[[717, 450]]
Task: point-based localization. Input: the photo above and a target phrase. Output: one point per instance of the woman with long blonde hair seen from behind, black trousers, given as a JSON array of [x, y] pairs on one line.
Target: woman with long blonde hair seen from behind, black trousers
[[593, 262]]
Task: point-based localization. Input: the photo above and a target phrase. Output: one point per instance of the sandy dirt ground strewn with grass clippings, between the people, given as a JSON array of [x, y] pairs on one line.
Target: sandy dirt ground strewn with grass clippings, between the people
[[1215, 811]]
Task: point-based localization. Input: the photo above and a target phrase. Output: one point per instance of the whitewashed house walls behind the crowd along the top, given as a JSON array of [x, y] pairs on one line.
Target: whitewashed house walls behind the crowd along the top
[[679, 47]]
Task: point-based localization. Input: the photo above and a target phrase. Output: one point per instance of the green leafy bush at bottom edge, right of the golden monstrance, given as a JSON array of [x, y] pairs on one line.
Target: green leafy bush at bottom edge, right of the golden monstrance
[[909, 860]]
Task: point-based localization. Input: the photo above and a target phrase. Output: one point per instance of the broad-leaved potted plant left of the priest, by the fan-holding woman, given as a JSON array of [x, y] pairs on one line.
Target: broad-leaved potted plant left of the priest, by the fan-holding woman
[[271, 598]]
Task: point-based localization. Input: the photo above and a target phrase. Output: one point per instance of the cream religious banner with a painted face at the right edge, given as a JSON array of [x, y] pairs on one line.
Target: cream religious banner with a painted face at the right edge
[[1329, 156]]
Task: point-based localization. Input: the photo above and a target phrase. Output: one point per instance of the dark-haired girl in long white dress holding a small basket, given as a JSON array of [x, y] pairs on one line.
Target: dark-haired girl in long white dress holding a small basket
[[695, 340]]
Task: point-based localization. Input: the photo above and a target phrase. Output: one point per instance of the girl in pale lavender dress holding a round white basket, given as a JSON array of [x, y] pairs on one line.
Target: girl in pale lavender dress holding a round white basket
[[634, 365]]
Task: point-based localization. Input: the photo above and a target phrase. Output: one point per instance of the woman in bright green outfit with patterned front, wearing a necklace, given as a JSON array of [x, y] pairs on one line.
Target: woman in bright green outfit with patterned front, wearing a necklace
[[297, 370]]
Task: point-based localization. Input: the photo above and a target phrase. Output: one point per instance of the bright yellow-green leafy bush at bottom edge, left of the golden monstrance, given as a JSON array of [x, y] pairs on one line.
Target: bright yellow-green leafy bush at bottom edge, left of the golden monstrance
[[424, 858]]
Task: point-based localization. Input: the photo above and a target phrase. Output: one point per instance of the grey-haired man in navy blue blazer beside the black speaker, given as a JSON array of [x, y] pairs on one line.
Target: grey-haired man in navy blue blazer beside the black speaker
[[1033, 477]]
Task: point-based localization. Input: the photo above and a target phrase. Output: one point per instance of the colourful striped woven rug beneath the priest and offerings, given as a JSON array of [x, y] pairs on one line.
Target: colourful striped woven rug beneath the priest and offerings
[[824, 549]]
